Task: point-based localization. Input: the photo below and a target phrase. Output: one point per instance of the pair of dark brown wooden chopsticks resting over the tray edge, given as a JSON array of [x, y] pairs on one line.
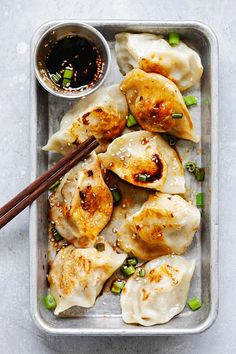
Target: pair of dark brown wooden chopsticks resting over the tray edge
[[42, 183]]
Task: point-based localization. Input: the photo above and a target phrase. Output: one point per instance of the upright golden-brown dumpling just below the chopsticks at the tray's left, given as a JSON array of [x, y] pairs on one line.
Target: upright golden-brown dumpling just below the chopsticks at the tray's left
[[82, 204]]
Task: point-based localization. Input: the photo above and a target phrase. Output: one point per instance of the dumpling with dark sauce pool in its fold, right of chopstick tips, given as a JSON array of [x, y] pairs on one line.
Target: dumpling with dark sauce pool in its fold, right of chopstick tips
[[145, 160]]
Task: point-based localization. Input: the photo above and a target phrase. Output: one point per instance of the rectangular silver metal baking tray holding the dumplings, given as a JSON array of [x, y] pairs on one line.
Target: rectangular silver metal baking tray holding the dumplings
[[46, 112]]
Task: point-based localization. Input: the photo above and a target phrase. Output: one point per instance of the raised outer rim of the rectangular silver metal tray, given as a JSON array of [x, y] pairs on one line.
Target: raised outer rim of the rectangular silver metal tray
[[133, 330]]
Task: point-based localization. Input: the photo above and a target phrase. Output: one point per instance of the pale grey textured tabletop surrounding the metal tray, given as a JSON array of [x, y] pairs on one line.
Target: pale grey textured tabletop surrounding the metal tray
[[19, 18]]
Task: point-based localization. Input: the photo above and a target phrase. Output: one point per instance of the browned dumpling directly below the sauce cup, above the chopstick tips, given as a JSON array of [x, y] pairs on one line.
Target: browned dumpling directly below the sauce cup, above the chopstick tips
[[102, 114]]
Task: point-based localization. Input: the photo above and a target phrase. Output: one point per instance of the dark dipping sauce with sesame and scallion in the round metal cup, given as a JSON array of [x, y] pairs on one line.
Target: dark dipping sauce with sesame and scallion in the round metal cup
[[74, 63]]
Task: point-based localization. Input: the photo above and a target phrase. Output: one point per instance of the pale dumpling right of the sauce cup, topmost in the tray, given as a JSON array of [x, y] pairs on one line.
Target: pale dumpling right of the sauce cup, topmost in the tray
[[152, 53]]
